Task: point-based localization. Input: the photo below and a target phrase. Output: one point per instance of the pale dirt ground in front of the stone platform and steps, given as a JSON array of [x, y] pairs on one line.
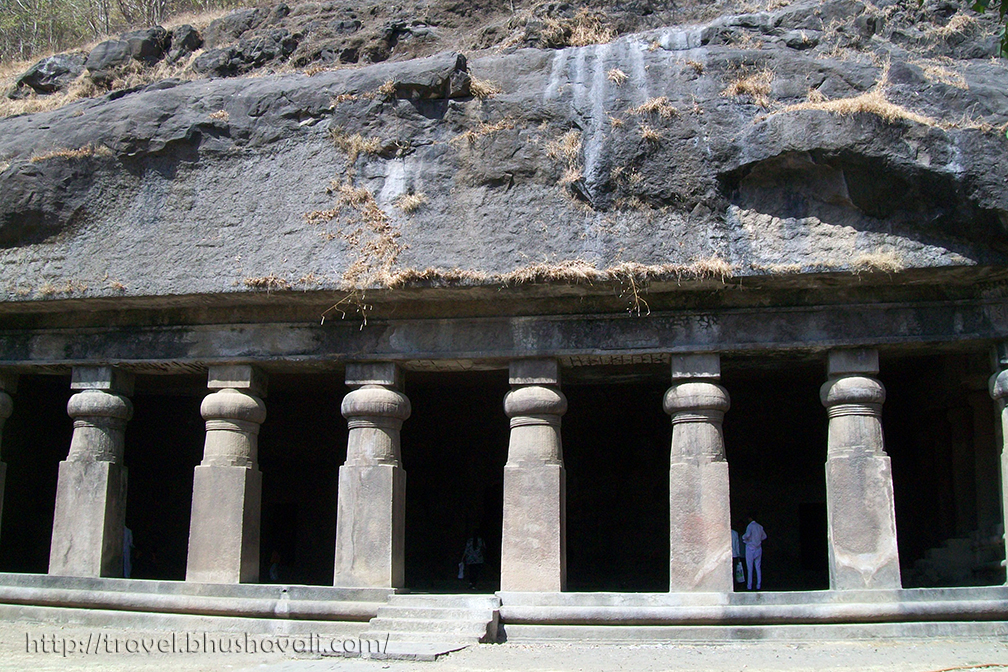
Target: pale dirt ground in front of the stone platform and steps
[[41, 648]]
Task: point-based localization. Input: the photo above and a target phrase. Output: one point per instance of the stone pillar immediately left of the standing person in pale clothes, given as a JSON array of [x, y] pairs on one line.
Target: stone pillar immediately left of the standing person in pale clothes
[[700, 511]]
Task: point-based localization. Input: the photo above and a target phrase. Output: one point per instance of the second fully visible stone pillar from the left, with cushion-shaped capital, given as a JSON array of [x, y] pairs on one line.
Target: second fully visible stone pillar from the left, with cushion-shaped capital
[[227, 485]]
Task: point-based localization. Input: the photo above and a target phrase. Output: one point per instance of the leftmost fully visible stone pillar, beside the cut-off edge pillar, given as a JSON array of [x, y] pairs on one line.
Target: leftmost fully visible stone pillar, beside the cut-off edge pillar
[[91, 492]]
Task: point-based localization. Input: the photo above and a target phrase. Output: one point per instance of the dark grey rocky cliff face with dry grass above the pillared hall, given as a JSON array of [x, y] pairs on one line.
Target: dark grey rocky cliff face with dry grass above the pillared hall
[[815, 138]]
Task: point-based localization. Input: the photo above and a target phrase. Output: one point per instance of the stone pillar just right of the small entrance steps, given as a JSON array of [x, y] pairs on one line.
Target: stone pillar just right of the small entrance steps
[[534, 549]]
